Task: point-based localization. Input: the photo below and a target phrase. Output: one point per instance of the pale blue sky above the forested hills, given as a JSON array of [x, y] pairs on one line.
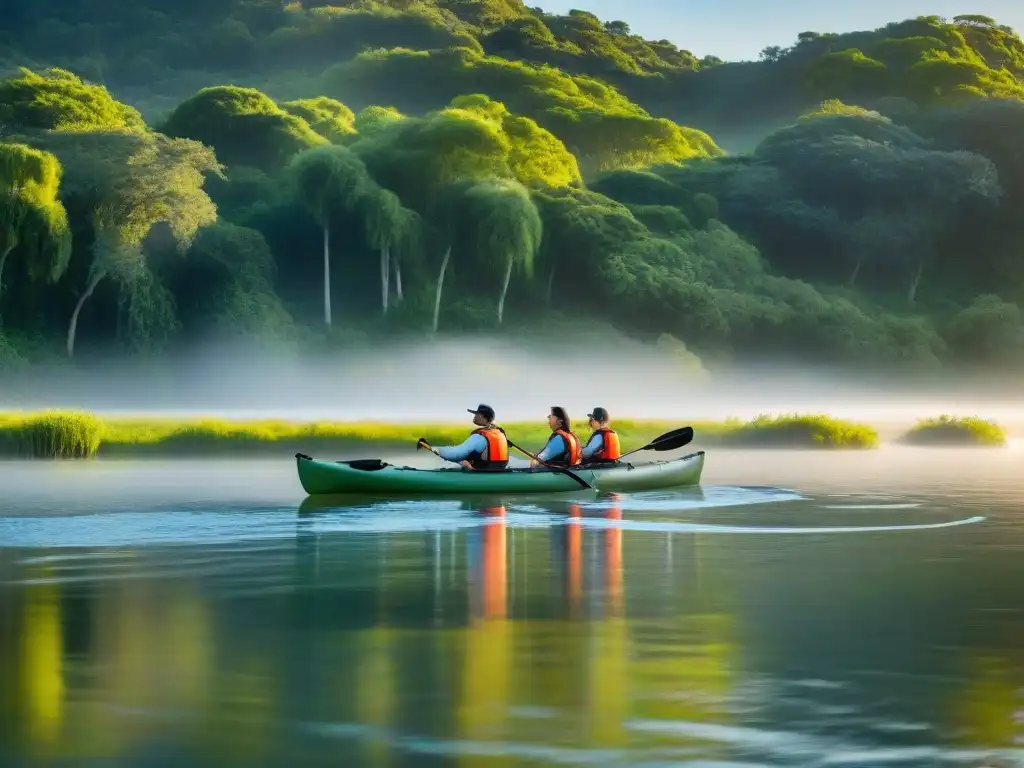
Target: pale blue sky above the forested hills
[[740, 29]]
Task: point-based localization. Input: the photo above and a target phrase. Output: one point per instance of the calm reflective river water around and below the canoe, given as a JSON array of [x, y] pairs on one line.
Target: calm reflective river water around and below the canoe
[[799, 610]]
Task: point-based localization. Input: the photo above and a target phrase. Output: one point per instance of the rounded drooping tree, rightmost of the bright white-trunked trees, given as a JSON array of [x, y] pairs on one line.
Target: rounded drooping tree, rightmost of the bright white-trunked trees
[[506, 228]]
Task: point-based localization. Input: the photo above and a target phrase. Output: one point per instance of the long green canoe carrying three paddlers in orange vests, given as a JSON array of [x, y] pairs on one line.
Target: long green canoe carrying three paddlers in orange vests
[[375, 477]]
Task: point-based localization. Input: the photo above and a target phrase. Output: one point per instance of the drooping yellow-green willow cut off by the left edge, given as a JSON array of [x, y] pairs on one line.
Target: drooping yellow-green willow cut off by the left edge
[[32, 219]]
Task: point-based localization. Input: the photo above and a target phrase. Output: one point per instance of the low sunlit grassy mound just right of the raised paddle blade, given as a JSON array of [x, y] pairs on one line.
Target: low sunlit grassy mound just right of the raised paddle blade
[[802, 433]]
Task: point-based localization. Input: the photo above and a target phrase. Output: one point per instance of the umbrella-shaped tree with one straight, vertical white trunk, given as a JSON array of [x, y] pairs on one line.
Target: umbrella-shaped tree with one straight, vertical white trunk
[[329, 182]]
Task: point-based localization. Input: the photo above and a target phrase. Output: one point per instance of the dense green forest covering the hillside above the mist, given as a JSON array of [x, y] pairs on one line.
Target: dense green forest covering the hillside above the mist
[[314, 175]]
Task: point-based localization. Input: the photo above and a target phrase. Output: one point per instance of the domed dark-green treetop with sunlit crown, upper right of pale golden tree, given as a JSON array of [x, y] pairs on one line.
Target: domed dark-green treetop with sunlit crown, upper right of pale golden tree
[[244, 126]]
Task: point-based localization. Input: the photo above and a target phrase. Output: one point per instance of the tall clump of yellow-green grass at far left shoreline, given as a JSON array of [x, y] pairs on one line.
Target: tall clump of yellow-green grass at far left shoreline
[[51, 436]]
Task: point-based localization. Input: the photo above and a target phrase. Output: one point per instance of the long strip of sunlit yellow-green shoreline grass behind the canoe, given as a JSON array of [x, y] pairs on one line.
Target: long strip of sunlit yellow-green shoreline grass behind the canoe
[[82, 436]]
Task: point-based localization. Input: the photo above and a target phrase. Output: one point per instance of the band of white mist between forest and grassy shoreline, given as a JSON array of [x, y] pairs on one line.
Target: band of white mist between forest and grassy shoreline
[[437, 380]]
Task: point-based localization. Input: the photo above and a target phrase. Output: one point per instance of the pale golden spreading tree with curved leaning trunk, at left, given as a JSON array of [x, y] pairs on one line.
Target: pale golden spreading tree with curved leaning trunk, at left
[[127, 184]]
